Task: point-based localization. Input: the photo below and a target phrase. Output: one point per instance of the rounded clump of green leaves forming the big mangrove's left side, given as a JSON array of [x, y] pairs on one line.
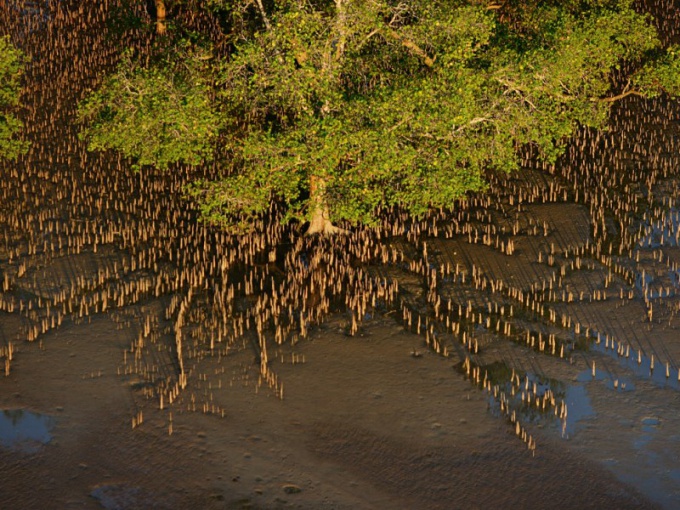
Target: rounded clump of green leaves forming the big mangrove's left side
[[157, 116]]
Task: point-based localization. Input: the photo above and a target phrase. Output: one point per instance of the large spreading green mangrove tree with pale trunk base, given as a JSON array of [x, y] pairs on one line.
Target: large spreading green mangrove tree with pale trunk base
[[336, 109]]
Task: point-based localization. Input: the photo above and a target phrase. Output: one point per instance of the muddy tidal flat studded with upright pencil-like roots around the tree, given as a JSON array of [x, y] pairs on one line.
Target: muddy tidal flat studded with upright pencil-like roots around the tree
[[524, 339]]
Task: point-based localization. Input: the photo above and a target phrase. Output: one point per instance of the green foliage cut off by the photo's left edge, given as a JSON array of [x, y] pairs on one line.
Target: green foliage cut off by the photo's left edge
[[11, 68]]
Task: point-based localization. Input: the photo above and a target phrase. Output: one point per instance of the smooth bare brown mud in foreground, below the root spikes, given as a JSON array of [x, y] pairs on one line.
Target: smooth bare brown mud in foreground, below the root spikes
[[364, 424]]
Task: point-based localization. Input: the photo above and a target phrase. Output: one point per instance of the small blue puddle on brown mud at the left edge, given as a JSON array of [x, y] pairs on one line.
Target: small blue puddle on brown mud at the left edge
[[24, 430]]
